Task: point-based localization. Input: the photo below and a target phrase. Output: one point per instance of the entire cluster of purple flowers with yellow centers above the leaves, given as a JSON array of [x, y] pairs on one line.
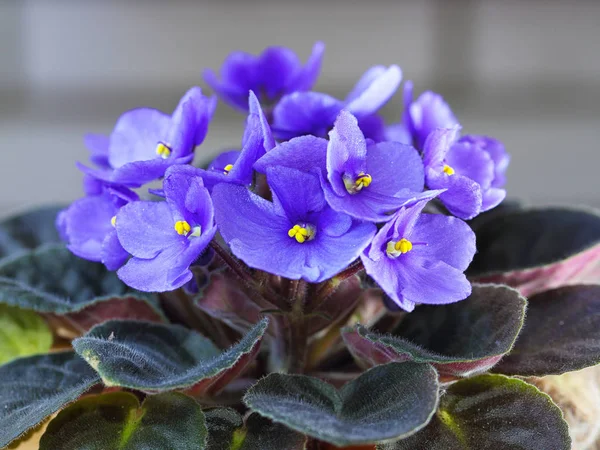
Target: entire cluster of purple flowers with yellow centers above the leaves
[[318, 184]]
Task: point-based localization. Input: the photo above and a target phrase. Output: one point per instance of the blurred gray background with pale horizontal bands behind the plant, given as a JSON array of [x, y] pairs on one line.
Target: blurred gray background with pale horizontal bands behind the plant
[[526, 72]]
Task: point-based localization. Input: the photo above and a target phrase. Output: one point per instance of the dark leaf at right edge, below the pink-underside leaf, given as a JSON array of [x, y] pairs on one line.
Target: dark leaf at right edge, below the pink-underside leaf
[[561, 333]]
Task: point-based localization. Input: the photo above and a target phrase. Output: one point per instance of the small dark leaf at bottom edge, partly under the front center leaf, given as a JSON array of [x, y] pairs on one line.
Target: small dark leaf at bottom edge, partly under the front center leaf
[[227, 431]]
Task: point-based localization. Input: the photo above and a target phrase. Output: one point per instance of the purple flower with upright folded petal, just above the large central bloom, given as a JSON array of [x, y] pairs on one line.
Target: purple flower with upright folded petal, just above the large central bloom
[[366, 181]]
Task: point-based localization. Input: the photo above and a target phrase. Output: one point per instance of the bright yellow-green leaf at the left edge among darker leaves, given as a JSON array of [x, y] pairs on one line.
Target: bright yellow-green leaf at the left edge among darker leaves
[[22, 333]]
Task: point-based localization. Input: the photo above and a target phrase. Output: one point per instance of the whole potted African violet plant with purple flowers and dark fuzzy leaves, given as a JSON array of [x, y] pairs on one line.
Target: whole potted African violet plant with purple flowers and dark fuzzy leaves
[[332, 283]]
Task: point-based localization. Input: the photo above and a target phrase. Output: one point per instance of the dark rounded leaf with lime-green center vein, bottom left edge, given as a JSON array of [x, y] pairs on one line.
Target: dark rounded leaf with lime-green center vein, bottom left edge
[[117, 421]]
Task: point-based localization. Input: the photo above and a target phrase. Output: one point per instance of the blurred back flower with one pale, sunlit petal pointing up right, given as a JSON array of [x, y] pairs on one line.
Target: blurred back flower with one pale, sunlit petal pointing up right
[[314, 113]]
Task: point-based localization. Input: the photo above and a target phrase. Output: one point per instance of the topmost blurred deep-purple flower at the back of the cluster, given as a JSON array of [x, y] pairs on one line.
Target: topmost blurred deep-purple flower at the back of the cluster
[[275, 72]]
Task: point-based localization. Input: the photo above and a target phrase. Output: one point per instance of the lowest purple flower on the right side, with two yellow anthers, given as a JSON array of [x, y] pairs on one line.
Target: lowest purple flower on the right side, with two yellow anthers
[[420, 258]]
